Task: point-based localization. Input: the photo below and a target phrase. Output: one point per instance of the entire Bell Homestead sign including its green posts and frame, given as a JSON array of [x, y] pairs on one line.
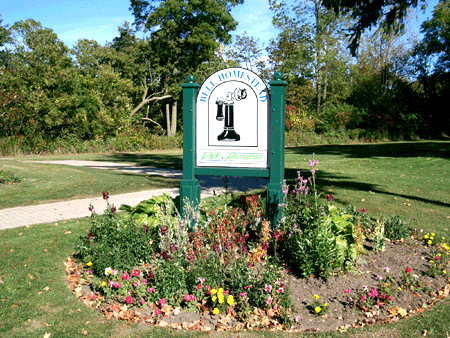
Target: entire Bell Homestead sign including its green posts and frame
[[233, 152]]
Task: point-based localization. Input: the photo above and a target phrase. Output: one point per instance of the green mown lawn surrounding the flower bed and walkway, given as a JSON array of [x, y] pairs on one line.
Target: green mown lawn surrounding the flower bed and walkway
[[407, 178]]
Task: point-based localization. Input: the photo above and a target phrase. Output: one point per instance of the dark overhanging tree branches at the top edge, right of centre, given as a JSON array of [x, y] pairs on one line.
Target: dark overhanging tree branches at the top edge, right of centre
[[390, 14]]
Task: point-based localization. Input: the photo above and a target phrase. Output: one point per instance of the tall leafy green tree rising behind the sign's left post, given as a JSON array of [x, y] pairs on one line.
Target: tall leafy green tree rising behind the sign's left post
[[184, 34]]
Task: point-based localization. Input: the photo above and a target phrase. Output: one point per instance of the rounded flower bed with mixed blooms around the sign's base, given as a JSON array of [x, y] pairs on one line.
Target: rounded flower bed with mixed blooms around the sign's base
[[227, 268]]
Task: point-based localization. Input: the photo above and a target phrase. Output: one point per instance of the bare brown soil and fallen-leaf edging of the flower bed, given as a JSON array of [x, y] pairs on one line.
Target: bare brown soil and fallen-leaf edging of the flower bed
[[397, 256]]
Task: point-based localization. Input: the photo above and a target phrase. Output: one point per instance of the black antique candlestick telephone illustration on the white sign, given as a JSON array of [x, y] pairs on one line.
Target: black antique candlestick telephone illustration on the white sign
[[229, 134]]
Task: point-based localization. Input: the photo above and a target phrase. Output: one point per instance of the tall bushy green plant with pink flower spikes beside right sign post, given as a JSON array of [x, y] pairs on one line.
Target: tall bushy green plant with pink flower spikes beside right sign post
[[317, 238]]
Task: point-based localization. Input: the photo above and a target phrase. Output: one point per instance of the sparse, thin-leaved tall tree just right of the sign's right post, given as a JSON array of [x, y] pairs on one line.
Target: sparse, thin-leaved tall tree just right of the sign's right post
[[309, 50]]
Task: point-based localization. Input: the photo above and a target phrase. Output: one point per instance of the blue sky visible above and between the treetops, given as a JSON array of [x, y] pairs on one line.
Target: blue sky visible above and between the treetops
[[99, 19]]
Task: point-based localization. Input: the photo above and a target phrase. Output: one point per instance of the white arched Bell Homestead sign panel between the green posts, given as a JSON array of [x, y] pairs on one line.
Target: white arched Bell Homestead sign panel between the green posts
[[232, 120]]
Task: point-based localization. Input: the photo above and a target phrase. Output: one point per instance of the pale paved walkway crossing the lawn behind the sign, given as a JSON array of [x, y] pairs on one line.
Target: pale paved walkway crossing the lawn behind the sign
[[59, 211]]
